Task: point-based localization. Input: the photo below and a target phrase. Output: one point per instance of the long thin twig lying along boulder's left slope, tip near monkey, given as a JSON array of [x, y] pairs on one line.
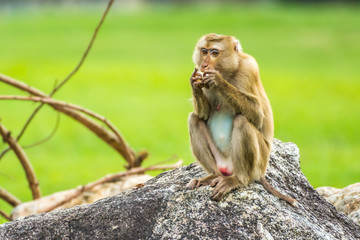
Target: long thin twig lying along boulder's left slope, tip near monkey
[[111, 178]]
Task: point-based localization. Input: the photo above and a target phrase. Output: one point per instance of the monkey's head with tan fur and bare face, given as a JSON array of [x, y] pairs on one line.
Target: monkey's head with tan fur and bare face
[[216, 52]]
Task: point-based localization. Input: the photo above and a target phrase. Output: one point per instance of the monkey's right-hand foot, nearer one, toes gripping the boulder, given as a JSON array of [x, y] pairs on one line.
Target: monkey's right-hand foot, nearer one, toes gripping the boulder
[[223, 185]]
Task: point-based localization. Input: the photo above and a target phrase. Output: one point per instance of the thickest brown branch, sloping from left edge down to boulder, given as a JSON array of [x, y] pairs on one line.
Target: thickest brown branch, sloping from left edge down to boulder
[[115, 141]]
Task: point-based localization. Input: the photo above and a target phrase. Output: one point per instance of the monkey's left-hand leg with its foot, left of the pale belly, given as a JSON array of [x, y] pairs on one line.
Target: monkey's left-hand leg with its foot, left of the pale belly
[[202, 147]]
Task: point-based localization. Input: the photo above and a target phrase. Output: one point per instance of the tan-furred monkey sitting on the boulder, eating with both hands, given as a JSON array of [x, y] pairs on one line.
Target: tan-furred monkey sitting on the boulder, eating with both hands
[[231, 128]]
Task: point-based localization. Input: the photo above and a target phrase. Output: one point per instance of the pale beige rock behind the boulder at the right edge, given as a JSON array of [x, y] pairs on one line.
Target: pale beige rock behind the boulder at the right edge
[[346, 200]]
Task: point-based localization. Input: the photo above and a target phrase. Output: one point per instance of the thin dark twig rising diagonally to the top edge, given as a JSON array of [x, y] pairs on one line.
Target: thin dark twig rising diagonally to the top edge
[[67, 78]]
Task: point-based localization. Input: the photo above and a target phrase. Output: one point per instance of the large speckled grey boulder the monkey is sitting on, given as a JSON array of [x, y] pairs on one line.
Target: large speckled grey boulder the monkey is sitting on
[[164, 209]]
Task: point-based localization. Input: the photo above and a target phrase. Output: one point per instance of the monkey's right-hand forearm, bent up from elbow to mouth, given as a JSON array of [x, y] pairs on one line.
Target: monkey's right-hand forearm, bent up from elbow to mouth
[[241, 100]]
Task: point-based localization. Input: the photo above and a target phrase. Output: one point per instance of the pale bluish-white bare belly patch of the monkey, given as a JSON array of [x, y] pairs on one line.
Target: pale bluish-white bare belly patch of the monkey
[[220, 124]]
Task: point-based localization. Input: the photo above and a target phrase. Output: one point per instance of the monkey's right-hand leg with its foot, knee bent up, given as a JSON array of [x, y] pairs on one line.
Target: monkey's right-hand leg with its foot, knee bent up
[[244, 155]]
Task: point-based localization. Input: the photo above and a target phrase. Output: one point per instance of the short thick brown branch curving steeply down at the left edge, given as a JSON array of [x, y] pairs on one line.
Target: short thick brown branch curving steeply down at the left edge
[[29, 171]]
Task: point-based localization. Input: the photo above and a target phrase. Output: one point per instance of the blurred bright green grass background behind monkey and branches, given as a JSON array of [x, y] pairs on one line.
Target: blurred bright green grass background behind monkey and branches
[[137, 76]]
